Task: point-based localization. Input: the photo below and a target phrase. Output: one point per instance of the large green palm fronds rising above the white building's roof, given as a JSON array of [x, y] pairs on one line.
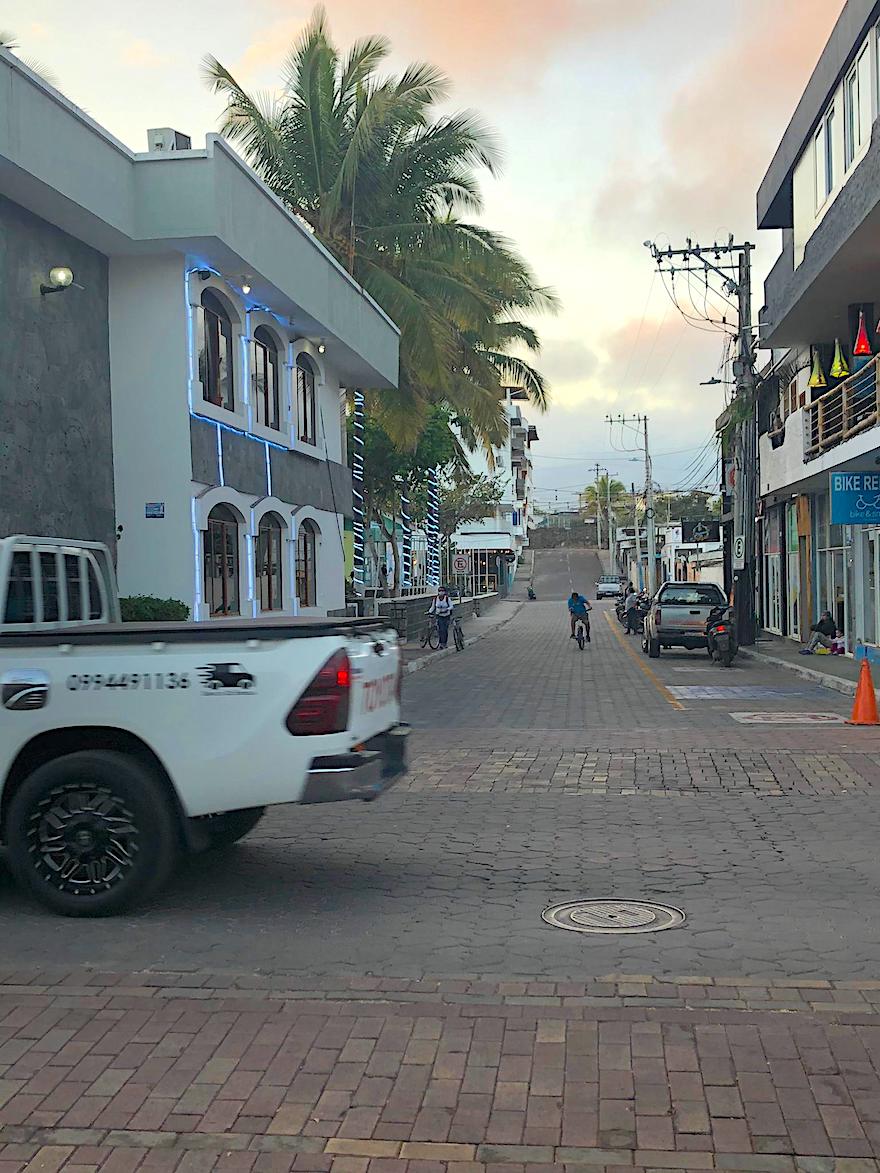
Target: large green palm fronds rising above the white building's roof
[[388, 186]]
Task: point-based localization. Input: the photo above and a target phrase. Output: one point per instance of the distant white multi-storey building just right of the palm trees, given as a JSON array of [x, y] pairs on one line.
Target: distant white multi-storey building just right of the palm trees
[[495, 546]]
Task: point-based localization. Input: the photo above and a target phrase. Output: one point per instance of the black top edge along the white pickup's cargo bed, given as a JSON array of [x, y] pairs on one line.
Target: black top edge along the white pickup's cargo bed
[[215, 632]]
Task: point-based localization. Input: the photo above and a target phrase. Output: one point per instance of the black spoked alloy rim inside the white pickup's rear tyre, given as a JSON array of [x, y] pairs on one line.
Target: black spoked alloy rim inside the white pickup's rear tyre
[[83, 839]]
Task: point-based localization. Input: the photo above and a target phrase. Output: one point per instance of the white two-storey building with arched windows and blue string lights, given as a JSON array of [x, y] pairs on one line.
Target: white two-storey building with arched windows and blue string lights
[[233, 338]]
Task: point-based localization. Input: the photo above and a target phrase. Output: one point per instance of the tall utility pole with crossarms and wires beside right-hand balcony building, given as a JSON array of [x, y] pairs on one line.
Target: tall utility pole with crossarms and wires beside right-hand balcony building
[[734, 265]]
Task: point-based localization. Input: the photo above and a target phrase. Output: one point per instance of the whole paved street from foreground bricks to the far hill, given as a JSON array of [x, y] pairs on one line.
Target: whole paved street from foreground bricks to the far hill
[[371, 989]]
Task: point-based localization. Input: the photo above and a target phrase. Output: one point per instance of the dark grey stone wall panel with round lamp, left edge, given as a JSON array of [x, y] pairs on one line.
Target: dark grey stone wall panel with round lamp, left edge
[[56, 443]]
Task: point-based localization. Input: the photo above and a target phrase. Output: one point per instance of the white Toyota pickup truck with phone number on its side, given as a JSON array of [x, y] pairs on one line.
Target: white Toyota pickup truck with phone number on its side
[[124, 745]]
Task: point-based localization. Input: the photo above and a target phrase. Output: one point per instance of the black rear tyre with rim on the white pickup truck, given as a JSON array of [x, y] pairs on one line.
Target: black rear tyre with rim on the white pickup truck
[[92, 833]]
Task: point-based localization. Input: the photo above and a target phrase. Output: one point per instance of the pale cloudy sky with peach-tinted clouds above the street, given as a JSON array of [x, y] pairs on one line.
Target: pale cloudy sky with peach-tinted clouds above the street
[[620, 123]]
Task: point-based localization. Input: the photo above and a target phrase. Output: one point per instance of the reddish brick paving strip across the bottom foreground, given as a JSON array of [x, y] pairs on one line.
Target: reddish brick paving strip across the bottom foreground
[[199, 1072]]
